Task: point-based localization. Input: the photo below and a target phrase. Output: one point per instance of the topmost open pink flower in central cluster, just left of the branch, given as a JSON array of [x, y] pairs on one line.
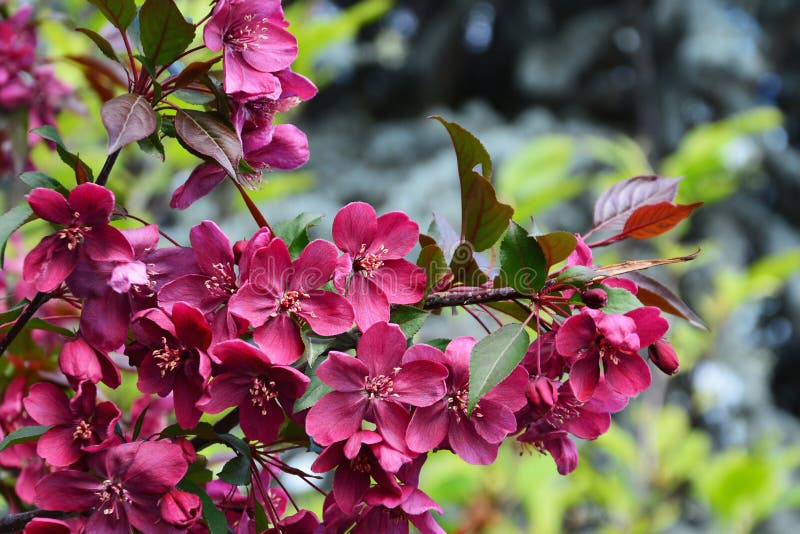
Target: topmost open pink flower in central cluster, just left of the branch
[[372, 273]]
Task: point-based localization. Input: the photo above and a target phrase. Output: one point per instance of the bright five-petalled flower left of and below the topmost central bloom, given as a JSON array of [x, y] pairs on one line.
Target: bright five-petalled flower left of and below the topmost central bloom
[[279, 289]]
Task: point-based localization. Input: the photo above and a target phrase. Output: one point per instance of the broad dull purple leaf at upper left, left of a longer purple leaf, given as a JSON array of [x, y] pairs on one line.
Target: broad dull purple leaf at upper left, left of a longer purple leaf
[[127, 118]]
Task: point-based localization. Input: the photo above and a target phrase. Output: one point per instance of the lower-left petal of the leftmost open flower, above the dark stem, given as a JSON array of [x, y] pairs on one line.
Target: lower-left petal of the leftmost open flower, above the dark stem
[[49, 263]]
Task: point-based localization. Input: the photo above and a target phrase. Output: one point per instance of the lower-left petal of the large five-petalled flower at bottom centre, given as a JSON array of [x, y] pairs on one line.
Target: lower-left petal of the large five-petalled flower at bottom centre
[[346, 409]]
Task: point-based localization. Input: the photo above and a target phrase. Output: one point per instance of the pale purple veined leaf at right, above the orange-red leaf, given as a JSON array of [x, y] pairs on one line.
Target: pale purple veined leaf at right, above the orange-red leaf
[[623, 198]]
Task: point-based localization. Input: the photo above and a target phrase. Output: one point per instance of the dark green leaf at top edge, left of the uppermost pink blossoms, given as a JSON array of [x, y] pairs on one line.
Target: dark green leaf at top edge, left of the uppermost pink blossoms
[[165, 33]]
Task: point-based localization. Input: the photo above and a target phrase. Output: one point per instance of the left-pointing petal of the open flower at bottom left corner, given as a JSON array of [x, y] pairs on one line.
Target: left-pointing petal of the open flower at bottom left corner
[[68, 491]]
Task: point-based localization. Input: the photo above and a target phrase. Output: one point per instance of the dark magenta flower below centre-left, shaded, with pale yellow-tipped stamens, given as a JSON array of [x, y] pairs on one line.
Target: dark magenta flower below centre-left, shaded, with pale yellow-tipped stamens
[[262, 391]]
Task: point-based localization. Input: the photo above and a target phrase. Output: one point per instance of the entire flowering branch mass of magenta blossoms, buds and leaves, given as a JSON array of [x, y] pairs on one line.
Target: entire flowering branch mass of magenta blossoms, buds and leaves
[[297, 343]]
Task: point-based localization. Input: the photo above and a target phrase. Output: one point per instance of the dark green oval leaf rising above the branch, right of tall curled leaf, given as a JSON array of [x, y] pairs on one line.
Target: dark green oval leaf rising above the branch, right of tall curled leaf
[[523, 265]]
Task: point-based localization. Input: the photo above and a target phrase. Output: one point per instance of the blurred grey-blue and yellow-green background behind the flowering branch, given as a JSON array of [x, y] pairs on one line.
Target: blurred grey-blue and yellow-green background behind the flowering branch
[[568, 97]]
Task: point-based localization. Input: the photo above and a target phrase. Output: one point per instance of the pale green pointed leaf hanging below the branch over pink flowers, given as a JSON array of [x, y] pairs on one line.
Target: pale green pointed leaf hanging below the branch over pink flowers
[[494, 358]]
